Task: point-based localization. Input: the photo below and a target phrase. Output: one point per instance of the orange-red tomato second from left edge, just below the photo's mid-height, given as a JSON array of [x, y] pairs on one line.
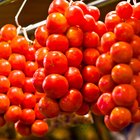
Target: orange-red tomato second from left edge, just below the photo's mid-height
[[16, 78]]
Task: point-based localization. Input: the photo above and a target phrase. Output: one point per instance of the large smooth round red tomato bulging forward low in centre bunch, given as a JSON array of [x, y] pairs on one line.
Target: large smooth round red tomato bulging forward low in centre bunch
[[55, 86]]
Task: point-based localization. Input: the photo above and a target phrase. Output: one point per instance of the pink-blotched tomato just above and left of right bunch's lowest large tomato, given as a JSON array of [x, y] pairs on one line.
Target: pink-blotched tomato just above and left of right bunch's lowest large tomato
[[105, 103]]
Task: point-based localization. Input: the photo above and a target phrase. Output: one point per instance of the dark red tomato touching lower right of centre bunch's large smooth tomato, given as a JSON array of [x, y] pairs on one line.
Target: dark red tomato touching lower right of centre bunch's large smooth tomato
[[72, 101]]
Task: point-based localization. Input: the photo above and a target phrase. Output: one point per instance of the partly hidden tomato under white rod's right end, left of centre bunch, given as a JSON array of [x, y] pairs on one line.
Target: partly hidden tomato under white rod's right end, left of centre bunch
[[41, 35]]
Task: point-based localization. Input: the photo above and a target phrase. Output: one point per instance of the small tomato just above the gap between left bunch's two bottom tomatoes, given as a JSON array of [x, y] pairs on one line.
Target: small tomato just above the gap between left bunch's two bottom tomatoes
[[27, 116]]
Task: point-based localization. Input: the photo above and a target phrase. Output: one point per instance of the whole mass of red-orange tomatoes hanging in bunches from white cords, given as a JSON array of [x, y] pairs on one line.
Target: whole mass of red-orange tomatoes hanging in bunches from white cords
[[76, 64]]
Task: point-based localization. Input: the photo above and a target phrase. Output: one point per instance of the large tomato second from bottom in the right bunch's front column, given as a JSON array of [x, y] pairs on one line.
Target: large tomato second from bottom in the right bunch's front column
[[122, 91]]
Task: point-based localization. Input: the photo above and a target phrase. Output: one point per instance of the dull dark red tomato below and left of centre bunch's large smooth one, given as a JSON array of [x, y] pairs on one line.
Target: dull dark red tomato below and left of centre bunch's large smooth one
[[49, 107]]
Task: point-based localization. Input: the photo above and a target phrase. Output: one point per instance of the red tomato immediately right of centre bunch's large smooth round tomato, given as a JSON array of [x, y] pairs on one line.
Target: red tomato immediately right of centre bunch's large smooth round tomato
[[73, 75]]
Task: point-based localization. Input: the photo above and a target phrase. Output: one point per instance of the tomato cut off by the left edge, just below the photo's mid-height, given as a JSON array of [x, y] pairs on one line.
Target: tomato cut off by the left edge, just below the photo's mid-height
[[4, 84]]
